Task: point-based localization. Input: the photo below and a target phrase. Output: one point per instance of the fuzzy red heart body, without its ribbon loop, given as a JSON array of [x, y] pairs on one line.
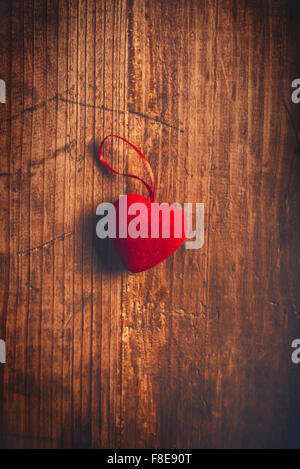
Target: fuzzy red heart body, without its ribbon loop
[[139, 254]]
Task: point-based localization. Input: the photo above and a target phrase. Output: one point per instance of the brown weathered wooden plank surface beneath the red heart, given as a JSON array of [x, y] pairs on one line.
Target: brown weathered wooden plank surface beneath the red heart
[[195, 353]]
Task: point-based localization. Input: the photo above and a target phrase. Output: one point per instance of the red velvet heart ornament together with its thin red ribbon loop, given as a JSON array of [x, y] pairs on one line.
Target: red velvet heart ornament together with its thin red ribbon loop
[[146, 233]]
